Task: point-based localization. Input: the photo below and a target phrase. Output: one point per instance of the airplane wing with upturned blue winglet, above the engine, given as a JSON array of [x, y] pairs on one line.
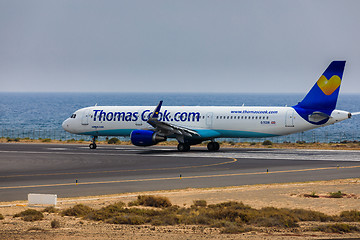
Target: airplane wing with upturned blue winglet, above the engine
[[167, 129]]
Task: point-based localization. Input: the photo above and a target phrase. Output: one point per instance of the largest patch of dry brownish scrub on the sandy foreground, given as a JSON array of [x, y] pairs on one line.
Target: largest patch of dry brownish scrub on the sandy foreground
[[231, 217]]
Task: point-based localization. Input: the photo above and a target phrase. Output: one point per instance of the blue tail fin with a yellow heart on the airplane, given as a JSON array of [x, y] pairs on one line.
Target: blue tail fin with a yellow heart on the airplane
[[323, 95]]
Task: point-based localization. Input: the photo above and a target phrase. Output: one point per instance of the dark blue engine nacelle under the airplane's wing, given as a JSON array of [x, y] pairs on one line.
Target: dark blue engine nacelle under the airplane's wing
[[145, 138]]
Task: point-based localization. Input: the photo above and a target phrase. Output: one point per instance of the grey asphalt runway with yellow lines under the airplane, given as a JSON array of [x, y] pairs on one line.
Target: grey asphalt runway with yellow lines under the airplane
[[75, 170]]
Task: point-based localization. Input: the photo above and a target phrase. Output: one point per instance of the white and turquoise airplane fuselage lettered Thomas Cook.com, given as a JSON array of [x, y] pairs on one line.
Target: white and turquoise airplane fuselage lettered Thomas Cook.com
[[209, 121]]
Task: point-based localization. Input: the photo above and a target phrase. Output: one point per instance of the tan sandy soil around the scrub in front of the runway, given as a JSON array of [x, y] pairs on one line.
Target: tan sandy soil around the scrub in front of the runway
[[289, 195]]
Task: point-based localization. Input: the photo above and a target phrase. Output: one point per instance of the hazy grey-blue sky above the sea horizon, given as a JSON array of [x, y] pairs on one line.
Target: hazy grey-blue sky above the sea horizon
[[176, 46]]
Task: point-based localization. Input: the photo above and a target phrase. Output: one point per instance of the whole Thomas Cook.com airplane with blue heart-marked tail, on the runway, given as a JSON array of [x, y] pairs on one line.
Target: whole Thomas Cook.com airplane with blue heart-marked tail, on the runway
[[191, 125]]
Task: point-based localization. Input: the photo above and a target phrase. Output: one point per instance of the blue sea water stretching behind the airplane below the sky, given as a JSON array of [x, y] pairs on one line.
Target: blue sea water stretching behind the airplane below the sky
[[40, 115]]
